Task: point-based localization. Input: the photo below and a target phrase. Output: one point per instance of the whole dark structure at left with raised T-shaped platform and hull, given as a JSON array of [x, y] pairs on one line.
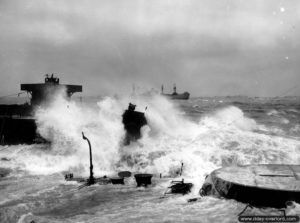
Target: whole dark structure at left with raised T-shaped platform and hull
[[17, 123]]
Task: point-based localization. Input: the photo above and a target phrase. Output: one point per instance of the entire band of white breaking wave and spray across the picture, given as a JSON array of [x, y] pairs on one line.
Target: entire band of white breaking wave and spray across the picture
[[225, 136]]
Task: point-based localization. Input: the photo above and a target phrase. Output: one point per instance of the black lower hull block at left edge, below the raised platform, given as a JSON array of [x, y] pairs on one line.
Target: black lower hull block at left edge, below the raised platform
[[15, 131]]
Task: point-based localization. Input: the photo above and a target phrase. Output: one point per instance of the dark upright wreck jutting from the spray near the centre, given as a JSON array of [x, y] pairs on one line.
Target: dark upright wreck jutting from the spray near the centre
[[133, 121]]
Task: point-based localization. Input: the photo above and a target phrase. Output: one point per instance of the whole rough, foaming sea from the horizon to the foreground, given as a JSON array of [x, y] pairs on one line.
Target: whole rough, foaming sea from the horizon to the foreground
[[203, 133]]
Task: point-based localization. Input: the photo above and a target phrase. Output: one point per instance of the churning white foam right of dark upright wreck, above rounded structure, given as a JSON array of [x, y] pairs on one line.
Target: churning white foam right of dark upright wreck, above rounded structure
[[224, 137]]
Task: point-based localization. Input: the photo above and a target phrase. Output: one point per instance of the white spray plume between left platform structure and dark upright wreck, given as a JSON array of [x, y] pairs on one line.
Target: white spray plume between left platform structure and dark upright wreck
[[62, 123]]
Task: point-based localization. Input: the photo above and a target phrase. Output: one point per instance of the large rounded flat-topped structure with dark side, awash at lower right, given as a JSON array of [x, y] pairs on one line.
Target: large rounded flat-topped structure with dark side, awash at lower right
[[271, 185]]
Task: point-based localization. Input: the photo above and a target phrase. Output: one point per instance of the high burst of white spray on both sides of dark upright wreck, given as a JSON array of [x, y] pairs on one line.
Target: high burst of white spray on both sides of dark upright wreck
[[62, 122]]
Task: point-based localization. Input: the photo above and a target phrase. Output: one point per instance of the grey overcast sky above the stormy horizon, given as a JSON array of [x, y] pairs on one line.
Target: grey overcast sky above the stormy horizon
[[207, 47]]
